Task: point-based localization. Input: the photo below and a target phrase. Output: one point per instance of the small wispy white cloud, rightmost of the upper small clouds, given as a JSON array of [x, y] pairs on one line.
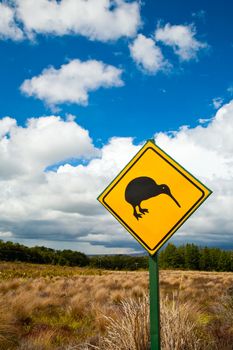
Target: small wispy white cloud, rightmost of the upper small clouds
[[181, 38]]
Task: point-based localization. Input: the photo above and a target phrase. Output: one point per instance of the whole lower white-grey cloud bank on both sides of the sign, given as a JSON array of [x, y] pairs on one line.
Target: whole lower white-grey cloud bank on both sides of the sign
[[60, 205]]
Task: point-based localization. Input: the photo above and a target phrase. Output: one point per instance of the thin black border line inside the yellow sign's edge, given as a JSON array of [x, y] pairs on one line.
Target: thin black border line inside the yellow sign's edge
[[177, 224]]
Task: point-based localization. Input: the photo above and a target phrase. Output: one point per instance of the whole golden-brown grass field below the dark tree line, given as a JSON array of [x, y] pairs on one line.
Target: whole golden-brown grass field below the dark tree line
[[51, 307]]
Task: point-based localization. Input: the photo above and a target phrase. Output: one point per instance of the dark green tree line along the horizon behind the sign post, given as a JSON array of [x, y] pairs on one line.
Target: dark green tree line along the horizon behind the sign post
[[185, 257]]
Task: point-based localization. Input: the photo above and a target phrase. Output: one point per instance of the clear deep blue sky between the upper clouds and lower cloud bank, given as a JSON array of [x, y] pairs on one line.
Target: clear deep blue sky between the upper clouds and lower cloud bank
[[165, 101]]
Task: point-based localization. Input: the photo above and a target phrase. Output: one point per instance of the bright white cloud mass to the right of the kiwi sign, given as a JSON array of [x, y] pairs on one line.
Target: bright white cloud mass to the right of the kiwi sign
[[207, 152]]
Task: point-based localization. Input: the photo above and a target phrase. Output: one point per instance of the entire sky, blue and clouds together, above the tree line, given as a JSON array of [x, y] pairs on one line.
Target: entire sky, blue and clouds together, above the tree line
[[104, 82]]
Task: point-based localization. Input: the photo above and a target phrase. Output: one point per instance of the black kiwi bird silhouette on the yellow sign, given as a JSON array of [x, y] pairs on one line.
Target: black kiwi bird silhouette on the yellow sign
[[142, 188]]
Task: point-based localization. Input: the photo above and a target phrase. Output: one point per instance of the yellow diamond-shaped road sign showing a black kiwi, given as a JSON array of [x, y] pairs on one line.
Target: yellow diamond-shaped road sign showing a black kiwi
[[153, 196]]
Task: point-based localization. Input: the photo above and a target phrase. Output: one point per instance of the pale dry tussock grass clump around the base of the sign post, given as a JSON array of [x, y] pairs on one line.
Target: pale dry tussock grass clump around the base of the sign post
[[179, 327]]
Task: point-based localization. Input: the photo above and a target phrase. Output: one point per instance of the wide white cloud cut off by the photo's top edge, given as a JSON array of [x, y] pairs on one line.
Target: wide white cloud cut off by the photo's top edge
[[98, 20]]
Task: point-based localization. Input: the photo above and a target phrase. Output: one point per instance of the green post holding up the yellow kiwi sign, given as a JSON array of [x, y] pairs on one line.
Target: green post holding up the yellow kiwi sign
[[154, 302]]
